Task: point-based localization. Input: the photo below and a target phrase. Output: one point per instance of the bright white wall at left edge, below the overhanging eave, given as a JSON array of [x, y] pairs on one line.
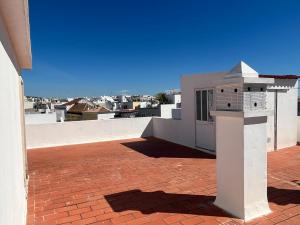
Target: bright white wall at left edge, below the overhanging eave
[[13, 204]]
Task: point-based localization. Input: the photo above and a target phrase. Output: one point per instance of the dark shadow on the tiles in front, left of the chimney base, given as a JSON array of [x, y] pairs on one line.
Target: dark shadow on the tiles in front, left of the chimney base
[[159, 201]]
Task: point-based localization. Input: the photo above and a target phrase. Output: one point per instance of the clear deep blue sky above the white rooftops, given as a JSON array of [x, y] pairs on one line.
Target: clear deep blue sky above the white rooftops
[[91, 48]]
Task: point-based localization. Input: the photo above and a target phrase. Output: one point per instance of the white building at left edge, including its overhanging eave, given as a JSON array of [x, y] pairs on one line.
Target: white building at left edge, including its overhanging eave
[[15, 55]]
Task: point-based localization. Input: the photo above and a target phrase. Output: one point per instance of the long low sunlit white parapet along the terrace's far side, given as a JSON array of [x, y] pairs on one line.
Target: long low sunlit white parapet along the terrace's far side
[[78, 132]]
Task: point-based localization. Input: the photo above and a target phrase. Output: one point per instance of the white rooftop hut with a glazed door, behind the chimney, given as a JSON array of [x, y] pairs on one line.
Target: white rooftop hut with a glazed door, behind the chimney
[[281, 99]]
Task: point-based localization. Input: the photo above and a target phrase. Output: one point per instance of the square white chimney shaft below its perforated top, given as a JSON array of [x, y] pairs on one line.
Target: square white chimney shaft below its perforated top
[[241, 164]]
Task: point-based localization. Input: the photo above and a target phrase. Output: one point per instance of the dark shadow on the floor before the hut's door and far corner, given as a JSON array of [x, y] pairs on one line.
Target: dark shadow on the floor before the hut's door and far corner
[[157, 148]]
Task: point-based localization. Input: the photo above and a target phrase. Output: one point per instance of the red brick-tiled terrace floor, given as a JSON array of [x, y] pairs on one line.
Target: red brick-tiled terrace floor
[[145, 181]]
